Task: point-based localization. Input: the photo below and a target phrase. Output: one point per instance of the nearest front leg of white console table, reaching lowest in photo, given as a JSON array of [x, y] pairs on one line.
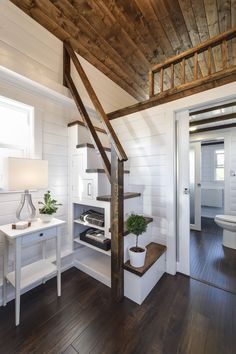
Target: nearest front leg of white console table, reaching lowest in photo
[[17, 279]]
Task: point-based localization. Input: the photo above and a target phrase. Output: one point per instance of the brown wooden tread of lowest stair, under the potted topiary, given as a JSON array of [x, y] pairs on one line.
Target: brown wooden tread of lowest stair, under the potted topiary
[[154, 252]]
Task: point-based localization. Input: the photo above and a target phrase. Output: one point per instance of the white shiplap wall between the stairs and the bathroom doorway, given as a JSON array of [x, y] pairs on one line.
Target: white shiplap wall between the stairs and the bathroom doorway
[[147, 138]]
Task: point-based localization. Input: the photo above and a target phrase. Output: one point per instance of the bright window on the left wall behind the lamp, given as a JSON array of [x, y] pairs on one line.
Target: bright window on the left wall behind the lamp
[[16, 133]]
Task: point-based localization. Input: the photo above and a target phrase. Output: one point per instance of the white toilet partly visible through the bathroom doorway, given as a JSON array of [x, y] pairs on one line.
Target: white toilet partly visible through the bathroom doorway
[[228, 224]]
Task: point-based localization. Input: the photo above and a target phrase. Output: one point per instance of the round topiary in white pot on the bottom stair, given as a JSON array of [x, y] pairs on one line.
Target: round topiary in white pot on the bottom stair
[[136, 224]]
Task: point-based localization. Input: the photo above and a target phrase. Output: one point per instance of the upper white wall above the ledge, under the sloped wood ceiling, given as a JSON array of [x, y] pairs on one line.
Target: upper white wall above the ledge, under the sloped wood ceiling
[[30, 50]]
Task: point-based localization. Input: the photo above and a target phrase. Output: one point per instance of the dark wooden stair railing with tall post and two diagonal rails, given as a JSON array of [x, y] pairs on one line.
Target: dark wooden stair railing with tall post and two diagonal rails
[[113, 169]]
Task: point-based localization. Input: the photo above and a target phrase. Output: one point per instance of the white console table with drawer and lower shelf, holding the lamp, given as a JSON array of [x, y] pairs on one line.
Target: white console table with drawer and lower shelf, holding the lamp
[[23, 277]]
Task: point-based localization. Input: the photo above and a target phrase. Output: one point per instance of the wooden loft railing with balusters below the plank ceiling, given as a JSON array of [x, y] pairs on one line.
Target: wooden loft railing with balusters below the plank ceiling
[[190, 60]]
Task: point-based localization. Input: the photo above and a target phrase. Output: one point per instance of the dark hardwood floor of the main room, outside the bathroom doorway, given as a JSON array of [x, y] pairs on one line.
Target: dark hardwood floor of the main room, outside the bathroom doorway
[[181, 315]]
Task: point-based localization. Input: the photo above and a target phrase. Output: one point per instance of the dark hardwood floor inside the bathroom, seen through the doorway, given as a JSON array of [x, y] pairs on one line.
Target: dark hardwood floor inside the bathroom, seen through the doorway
[[210, 261]]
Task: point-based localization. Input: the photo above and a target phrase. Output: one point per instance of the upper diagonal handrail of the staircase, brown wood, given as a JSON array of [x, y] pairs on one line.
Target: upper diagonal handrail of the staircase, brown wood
[[107, 125]]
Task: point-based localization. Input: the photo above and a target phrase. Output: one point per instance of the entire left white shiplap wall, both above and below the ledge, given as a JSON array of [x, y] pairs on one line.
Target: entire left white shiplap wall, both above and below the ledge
[[29, 50]]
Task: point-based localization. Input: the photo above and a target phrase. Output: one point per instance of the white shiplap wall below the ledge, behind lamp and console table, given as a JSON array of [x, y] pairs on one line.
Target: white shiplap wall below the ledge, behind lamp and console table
[[51, 120]]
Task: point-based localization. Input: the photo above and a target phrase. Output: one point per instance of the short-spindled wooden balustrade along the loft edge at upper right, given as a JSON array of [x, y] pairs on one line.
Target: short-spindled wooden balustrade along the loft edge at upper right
[[192, 53]]
